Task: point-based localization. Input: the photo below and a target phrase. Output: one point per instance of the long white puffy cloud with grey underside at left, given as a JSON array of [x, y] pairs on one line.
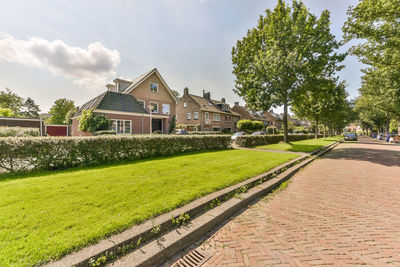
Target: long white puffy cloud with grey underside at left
[[88, 67]]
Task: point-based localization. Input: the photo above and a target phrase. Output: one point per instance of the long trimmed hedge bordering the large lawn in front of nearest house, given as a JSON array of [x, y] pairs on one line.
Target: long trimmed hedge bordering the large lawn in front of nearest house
[[47, 153]]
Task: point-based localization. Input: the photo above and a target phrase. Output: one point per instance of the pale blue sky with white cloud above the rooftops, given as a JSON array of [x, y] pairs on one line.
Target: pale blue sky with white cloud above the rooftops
[[71, 49]]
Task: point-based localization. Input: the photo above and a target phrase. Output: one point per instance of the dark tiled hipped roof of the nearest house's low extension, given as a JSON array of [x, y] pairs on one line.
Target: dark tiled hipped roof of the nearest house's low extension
[[113, 101]]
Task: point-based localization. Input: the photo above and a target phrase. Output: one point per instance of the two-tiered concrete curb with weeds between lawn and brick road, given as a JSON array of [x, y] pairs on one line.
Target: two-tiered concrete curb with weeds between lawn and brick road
[[175, 240]]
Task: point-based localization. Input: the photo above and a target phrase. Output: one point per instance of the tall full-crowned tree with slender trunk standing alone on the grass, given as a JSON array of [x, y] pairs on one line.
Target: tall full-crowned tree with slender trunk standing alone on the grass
[[287, 48]]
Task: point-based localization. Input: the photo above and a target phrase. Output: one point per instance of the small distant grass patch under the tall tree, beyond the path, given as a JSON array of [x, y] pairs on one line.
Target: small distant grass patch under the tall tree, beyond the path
[[303, 145]]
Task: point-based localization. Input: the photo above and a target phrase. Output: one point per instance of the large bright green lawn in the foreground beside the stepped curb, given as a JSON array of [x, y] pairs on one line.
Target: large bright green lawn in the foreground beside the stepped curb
[[47, 215]]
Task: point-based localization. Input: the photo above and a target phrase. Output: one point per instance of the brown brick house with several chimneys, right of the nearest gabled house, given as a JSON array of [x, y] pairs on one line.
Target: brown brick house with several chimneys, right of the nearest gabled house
[[207, 114]]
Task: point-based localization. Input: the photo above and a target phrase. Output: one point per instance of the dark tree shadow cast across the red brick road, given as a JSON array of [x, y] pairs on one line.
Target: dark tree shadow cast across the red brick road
[[383, 157]]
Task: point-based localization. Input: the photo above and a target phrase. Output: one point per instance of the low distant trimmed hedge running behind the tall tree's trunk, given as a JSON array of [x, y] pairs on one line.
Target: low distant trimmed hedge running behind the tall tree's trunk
[[259, 140]]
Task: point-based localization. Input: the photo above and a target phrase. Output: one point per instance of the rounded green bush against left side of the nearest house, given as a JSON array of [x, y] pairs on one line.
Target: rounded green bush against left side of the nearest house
[[91, 122]]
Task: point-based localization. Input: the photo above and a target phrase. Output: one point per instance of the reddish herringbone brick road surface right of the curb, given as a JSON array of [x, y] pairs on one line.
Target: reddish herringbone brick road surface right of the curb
[[341, 210]]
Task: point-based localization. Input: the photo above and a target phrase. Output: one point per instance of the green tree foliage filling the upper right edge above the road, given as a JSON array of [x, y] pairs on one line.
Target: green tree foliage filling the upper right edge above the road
[[377, 23]]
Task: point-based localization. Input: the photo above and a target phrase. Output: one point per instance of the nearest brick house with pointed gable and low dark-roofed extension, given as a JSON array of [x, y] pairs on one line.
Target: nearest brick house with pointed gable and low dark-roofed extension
[[141, 106]]
